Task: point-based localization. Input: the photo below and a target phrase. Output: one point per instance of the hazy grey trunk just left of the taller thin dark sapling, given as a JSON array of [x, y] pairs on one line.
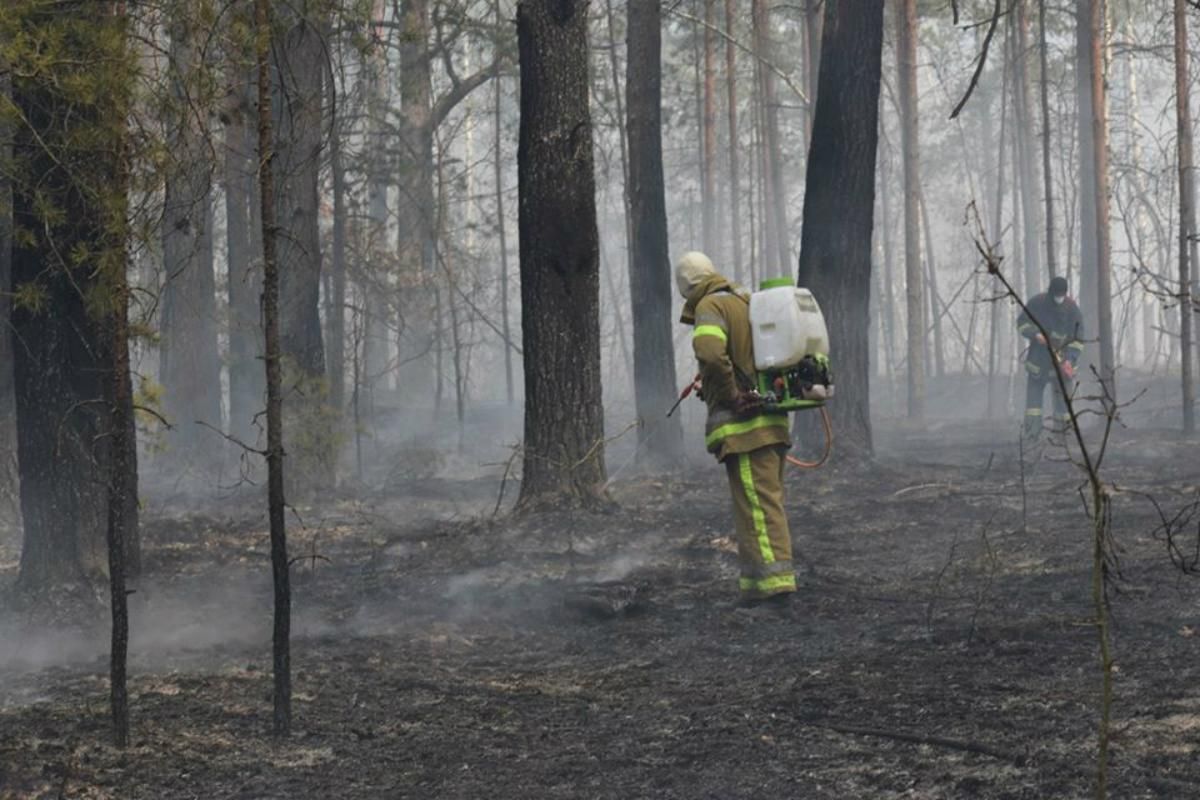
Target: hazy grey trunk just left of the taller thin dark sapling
[[244, 252]]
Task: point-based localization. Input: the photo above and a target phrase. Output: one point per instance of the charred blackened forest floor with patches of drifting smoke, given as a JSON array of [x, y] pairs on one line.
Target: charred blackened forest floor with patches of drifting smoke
[[943, 643]]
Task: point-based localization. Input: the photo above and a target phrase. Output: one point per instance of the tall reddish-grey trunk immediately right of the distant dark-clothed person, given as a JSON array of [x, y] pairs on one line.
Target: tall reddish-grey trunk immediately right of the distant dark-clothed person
[[1091, 19]]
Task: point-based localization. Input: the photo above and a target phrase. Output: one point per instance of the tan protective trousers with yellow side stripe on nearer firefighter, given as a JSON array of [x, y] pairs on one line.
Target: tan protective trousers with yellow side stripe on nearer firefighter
[[765, 544]]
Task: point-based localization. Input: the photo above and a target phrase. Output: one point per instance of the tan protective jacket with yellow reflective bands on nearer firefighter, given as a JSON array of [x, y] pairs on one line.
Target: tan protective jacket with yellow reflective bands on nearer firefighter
[[722, 341]]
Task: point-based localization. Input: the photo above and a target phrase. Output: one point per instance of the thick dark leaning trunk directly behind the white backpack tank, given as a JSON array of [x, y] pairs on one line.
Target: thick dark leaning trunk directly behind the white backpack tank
[[839, 207]]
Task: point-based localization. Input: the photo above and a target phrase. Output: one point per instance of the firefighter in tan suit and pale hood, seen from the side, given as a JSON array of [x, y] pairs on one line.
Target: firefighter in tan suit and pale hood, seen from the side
[[751, 443]]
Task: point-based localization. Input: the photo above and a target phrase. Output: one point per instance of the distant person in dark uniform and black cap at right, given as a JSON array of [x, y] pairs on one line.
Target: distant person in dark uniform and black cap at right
[[1061, 318]]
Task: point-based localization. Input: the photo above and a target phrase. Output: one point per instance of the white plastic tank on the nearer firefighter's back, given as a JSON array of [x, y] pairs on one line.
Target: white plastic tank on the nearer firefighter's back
[[787, 326]]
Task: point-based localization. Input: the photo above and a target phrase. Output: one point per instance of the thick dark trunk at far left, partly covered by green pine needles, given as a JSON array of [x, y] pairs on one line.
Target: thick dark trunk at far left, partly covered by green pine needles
[[59, 316]]
